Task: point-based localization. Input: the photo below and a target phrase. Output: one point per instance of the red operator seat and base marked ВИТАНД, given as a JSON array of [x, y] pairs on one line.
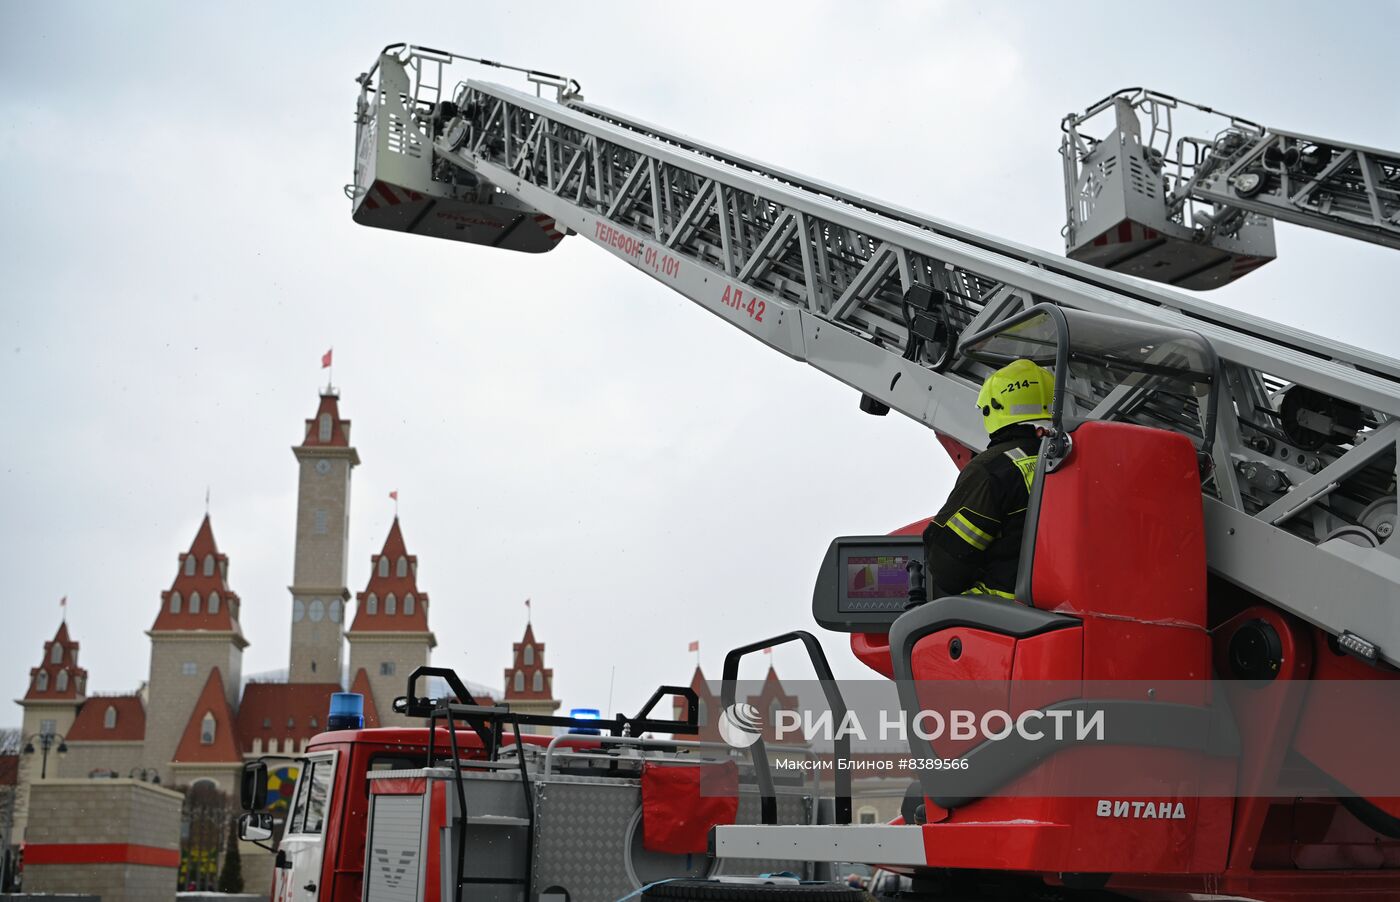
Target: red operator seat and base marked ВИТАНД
[[1112, 588]]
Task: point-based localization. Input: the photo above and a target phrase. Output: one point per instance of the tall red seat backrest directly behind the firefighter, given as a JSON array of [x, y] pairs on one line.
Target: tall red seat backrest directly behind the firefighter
[[1118, 529]]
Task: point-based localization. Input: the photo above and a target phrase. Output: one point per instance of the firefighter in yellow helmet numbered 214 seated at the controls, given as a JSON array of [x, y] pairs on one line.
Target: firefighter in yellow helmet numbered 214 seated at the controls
[[972, 547]]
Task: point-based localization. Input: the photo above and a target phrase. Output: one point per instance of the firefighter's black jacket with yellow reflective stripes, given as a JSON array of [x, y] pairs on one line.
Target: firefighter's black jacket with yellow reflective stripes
[[974, 544]]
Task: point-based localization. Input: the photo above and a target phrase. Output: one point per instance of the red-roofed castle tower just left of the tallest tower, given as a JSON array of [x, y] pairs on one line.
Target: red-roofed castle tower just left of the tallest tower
[[195, 634]]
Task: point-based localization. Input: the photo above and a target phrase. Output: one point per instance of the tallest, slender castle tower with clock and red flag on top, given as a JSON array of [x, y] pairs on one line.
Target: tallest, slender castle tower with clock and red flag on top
[[318, 582]]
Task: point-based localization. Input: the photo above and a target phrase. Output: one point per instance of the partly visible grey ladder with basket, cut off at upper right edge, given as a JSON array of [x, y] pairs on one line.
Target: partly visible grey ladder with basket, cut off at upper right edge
[[1181, 194]]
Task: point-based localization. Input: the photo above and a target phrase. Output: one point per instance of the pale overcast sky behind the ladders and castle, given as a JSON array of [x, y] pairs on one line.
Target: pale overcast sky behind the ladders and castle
[[177, 254]]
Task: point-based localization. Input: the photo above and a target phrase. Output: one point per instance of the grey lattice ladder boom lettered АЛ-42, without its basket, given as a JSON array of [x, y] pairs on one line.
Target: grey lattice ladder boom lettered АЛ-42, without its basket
[[821, 275]]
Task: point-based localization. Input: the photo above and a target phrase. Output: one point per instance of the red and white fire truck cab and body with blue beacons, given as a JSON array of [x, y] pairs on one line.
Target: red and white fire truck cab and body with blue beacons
[[471, 803]]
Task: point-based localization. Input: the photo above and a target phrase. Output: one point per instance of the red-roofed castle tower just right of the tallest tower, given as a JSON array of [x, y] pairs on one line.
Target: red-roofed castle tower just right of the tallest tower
[[390, 637]]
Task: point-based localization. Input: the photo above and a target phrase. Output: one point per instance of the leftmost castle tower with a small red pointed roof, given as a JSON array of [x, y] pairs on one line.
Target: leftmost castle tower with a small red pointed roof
[[51, 705]]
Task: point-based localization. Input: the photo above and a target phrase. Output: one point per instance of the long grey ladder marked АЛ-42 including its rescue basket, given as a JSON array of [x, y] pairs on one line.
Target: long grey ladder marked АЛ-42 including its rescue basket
[[1303, 495]]
